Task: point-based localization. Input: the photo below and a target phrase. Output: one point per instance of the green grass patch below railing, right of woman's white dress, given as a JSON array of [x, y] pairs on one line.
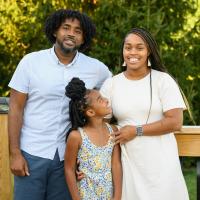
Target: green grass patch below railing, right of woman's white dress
[[191, 181]]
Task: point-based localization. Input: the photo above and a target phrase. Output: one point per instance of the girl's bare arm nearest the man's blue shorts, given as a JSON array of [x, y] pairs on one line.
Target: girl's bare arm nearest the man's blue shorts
[[71, 152]]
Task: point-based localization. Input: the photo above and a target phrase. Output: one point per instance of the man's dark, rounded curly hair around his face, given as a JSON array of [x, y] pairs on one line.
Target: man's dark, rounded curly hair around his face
[[55, 20]]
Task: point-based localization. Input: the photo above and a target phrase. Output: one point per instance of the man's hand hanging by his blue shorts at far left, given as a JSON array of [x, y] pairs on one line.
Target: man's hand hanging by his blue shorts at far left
[[18, 165]]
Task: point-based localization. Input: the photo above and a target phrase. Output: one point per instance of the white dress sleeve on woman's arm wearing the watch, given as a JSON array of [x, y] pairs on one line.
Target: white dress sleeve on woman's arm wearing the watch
[[170, 94]]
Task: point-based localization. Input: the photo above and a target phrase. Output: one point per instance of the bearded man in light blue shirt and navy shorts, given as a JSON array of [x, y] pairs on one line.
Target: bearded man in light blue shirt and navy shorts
[[38, 114]]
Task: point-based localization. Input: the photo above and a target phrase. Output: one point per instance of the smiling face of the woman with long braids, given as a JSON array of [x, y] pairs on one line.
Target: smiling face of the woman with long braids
[[135, 52]]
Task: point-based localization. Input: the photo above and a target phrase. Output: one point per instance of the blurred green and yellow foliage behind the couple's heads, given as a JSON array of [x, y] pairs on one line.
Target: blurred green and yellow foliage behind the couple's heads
[[175, 25]]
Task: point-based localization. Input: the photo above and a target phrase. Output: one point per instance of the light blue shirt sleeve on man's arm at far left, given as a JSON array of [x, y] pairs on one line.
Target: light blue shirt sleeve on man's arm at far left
[[20, 78]]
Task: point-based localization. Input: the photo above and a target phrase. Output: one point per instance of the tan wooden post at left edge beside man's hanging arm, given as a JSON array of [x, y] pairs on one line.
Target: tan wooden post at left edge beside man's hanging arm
[[6, 179]]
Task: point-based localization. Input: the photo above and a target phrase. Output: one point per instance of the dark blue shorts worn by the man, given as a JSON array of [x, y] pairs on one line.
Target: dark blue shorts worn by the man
[[46, 180]]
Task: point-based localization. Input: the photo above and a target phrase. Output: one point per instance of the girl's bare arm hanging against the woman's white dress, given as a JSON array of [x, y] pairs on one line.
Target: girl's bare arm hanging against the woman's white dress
[[117, 172]]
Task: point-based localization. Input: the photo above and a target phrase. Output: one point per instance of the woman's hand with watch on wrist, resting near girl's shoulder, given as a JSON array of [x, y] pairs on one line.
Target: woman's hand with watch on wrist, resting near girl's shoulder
[[125, 134]]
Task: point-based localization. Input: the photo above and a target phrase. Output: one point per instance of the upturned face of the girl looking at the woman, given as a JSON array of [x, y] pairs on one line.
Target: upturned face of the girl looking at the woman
[[98, 104]]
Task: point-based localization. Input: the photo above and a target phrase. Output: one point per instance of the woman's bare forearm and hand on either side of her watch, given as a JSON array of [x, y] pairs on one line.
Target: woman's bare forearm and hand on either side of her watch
[[172, 121]]
